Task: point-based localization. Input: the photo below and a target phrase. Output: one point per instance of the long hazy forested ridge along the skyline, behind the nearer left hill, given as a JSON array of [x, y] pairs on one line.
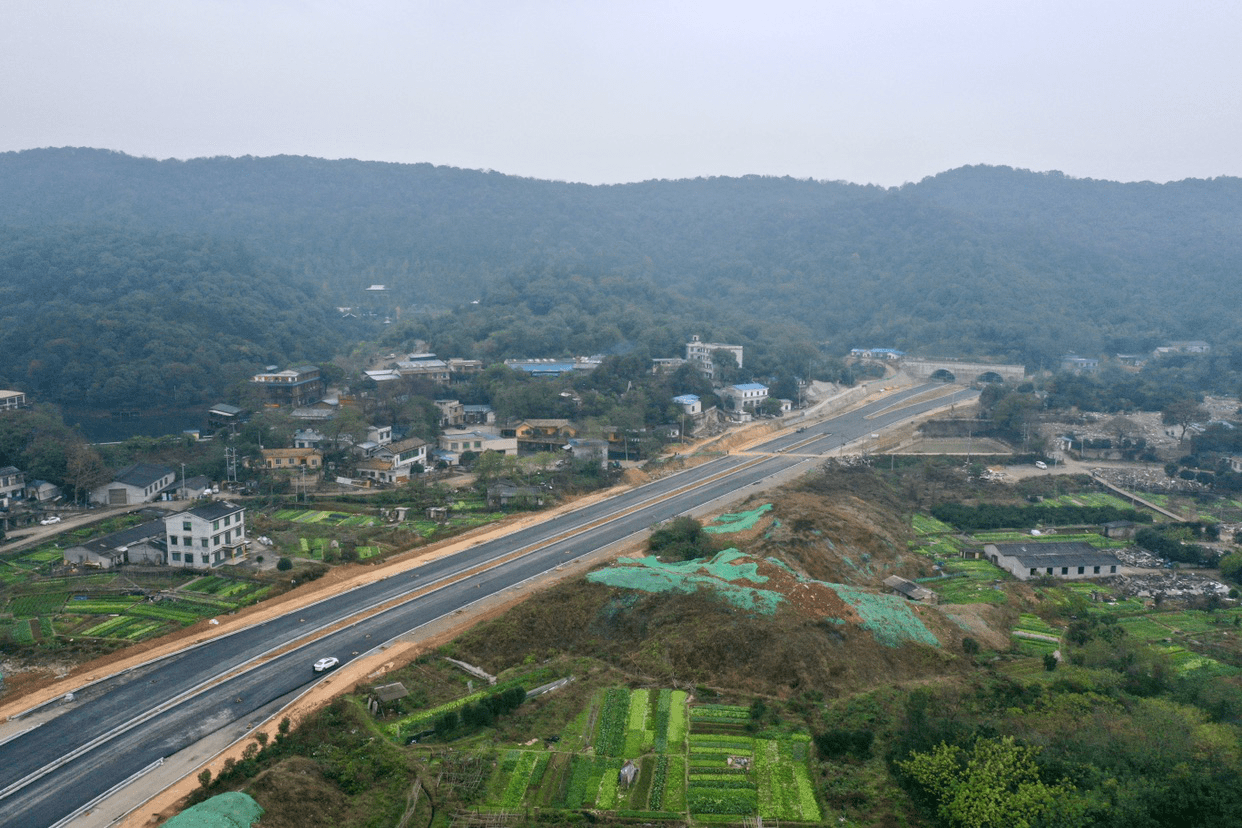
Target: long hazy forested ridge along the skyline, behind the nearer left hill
[[978, 261]]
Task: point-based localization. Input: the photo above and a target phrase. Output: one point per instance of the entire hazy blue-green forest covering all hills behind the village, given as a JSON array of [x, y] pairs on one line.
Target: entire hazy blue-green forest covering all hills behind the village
[[223, 264]]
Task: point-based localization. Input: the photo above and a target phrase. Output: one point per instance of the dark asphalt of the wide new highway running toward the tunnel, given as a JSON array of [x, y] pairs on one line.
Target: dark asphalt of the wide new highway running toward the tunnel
[[116, 728]]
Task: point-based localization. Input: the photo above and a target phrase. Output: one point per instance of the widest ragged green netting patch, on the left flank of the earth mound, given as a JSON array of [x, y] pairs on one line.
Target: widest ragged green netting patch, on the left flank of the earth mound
[[718, 573]]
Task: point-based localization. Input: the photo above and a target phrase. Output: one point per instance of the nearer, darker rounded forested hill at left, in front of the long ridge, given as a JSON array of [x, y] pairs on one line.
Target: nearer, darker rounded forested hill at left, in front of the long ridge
[[142, 321]]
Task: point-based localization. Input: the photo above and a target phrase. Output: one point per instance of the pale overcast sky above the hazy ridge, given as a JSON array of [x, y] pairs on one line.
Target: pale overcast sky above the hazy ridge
[[599, 91]]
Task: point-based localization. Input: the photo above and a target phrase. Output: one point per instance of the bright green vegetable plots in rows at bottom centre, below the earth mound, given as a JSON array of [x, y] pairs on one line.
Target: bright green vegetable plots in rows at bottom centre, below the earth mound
[[641, 764]]
